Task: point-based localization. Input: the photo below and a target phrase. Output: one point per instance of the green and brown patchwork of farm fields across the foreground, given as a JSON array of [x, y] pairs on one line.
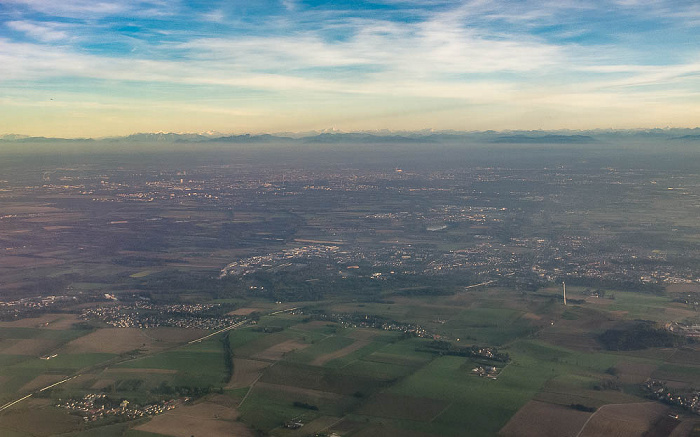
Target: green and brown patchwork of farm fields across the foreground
[[355, 381]]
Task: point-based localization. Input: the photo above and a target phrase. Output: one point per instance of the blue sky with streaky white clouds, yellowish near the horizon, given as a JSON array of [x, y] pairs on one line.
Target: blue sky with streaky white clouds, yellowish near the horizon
[[92, 68]]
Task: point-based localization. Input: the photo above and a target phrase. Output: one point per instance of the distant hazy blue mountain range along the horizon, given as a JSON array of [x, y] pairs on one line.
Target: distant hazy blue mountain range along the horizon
[[386, 137]]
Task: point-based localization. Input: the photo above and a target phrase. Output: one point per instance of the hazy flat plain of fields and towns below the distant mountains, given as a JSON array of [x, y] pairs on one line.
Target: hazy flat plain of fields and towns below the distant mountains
[[383, 294]]
